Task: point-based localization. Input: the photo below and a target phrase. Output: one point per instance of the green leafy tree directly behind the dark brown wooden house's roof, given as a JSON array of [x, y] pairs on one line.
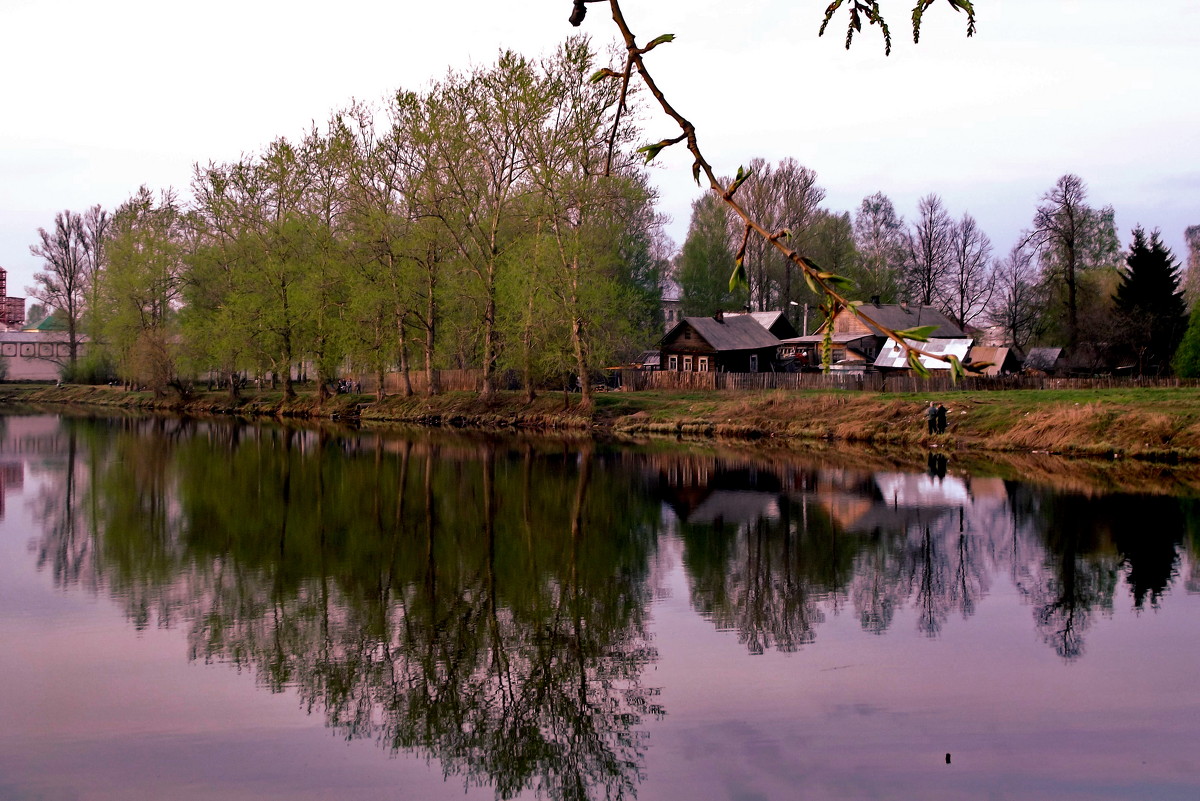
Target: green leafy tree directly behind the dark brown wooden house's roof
[[706, 261]]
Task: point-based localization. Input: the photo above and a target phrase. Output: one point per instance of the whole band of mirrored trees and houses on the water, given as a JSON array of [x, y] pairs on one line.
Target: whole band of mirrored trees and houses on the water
[[487, 603]]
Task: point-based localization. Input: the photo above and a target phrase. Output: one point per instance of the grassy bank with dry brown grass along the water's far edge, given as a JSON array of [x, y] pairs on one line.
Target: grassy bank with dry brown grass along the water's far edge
[[1144, 424]]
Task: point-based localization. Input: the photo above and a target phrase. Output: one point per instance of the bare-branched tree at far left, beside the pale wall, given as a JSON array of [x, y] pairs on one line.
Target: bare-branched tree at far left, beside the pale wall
[[64, 282]]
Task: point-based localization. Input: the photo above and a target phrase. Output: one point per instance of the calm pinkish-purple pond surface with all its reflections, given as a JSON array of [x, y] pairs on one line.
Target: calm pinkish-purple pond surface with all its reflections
[[219, 611]]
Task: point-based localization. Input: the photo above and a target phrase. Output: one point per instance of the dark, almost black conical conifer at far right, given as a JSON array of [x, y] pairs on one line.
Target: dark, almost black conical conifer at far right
[[1150, 304]]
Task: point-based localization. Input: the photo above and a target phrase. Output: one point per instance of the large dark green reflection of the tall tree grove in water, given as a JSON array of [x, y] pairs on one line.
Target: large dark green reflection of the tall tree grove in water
[[435, 599]]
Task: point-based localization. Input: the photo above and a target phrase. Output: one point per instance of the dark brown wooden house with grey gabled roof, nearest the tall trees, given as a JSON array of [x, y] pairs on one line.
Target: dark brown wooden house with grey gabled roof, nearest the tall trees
[[723, 344]]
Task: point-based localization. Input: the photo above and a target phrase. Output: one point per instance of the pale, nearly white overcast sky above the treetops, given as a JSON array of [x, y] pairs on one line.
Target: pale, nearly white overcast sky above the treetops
[[100, 99]]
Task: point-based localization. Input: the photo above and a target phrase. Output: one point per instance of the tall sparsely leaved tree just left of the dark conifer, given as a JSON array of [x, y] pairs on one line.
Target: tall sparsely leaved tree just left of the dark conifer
[[1072, 238]]
